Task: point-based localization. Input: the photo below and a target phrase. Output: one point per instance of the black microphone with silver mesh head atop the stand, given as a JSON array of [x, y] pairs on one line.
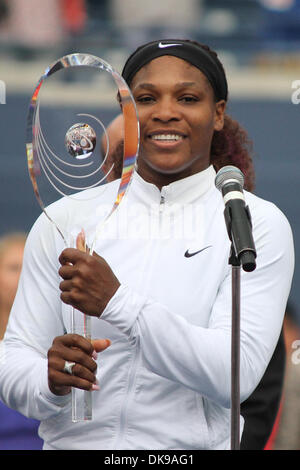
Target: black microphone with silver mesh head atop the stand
[[230, 181]]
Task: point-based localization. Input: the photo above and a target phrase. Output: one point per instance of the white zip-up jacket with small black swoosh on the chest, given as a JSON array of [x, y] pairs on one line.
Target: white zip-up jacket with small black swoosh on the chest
[[165, 379]]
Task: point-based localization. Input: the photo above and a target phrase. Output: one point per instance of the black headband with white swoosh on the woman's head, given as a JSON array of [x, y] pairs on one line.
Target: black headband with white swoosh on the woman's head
[[186, 50]]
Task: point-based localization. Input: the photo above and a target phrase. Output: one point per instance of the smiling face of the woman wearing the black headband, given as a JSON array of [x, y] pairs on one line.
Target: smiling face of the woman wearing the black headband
[[178, 116]]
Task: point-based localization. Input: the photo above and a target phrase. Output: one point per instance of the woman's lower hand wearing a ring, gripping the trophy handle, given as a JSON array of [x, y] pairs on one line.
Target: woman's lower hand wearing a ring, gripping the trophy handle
[[74, 348]]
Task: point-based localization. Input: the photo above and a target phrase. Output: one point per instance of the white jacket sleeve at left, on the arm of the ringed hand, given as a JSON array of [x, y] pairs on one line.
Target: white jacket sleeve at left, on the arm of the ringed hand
[[34, 320]]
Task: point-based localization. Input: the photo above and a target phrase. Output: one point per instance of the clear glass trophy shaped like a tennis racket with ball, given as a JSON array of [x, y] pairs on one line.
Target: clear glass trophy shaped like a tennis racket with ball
[[63, 157]]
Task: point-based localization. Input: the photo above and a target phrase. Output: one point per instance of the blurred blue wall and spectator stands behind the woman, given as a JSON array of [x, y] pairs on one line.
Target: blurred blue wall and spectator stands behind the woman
[[257, 41]]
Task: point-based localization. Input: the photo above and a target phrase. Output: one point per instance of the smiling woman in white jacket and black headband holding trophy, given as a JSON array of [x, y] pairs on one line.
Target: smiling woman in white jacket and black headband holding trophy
[[161, 287]]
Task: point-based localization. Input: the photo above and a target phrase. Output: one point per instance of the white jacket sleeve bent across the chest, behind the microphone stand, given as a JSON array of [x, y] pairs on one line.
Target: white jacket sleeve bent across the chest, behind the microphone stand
[[200, 358]]
